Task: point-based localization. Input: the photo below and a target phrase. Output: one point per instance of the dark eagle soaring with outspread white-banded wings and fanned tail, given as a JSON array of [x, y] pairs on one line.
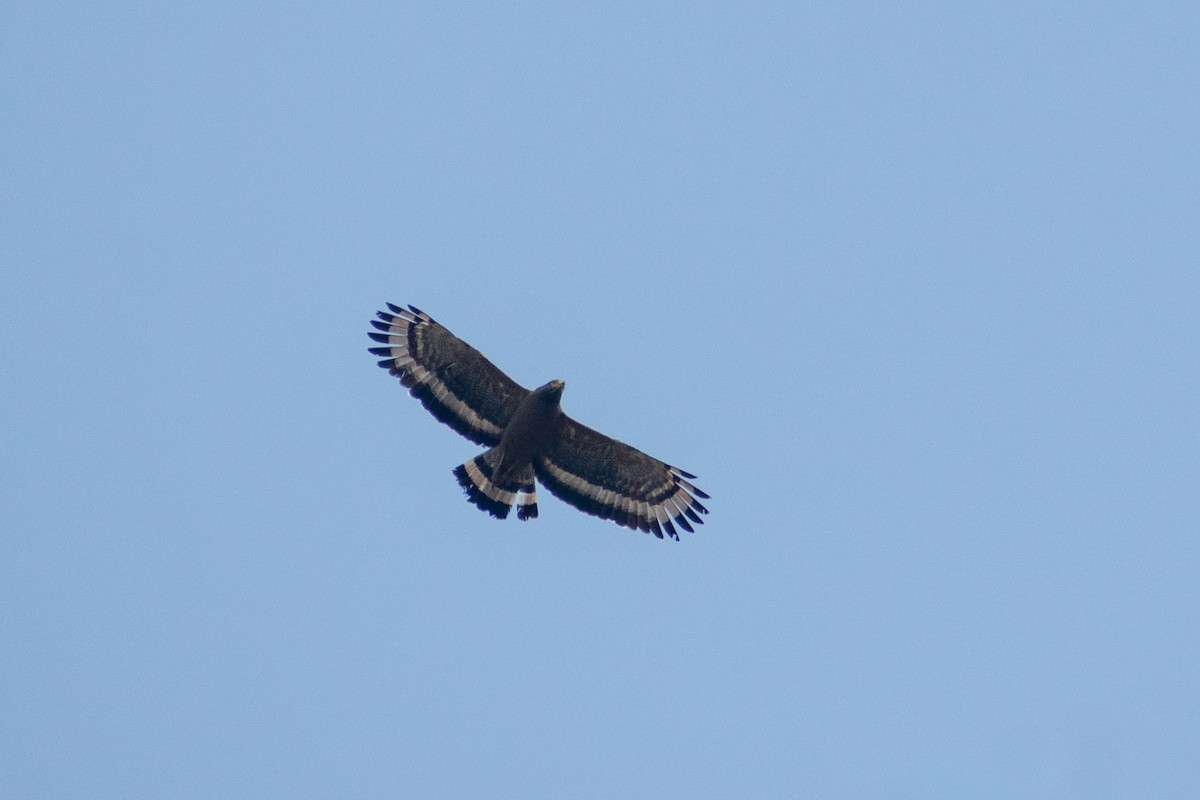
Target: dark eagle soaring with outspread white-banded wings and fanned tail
[[529, 436]]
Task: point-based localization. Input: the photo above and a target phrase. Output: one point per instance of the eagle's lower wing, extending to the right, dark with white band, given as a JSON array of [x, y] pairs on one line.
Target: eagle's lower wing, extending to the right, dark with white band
[[609, 479]]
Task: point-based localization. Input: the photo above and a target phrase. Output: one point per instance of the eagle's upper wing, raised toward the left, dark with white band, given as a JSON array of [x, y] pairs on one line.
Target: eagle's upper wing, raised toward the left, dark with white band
[[452, 380]]
